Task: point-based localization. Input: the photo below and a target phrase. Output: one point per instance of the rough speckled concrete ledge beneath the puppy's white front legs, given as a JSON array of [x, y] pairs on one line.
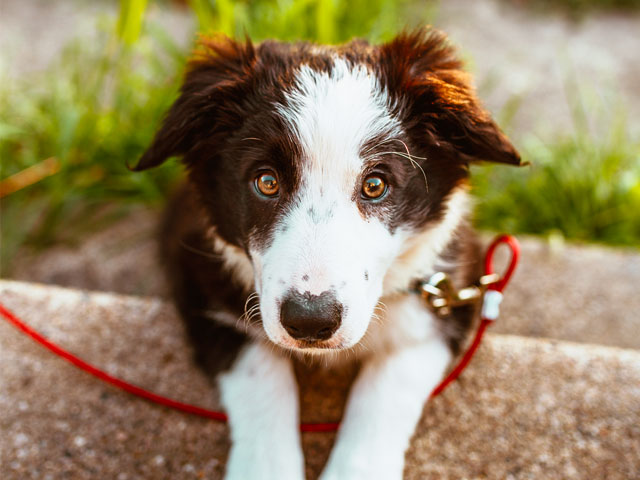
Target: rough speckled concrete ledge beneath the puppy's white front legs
[[524, 409]]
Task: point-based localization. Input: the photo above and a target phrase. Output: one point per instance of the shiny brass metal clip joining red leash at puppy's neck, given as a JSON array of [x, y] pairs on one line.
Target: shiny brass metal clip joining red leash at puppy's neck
[[441, 295]]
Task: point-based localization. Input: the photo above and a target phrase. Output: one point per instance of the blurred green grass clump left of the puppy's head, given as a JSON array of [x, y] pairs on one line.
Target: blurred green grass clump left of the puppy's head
[[92, 111]]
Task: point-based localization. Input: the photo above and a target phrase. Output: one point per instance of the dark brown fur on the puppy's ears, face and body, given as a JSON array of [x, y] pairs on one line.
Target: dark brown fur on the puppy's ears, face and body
[[224, 127]]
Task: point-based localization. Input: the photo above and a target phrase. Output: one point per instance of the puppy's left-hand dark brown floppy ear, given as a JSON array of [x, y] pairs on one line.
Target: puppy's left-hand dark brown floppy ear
[[215, 77]]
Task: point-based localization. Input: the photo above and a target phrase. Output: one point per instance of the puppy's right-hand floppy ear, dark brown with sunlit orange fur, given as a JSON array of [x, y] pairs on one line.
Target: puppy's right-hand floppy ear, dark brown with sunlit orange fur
[[424, 68]]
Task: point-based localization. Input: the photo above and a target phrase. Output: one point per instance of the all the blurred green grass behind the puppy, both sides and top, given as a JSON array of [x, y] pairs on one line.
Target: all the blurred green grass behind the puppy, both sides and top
[[97, 106]]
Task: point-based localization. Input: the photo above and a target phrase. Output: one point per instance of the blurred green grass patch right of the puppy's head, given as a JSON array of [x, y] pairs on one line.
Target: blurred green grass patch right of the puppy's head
[[584, 186]]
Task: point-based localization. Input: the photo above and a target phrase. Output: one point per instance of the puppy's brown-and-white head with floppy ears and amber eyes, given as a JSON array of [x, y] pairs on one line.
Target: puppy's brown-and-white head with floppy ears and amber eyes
[[331, 175]]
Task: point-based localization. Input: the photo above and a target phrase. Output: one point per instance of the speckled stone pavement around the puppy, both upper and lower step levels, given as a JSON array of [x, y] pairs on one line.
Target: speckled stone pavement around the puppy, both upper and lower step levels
[[528, 406]]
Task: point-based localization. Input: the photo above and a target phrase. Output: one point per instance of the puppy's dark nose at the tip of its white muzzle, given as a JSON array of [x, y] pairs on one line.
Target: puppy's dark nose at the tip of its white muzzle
[[311, 317]]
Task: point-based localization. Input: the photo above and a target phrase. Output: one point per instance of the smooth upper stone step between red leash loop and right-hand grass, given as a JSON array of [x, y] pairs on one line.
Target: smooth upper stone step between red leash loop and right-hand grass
[[577, 293]]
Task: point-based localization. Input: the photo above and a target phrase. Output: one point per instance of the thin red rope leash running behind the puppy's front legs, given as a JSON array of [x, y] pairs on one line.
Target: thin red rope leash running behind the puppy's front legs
[[489, 314]]
